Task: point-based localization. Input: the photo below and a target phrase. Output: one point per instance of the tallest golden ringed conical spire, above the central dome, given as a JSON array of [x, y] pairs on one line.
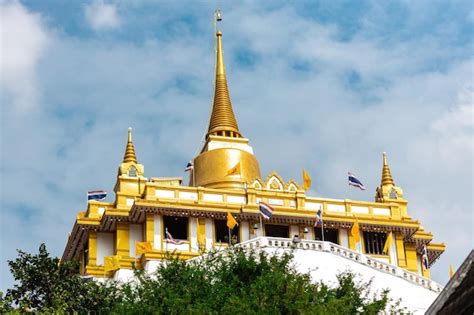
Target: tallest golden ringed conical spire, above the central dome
[[223, 122]]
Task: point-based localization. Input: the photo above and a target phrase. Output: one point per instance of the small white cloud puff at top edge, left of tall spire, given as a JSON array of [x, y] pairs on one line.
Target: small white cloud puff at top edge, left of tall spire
[[101, 16]]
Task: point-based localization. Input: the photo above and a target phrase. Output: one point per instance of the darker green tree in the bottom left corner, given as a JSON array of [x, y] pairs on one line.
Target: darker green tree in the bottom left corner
[[43, 284]]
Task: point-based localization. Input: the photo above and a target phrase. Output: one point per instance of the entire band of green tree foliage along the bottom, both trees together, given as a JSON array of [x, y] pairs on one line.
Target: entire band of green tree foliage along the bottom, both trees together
[[218, 283]]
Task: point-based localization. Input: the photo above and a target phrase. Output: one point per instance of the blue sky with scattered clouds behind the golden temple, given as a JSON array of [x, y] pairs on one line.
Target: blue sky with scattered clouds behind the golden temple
[[322, 85]]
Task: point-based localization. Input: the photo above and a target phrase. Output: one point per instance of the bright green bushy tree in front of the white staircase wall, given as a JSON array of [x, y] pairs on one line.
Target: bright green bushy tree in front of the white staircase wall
[[244, 282]]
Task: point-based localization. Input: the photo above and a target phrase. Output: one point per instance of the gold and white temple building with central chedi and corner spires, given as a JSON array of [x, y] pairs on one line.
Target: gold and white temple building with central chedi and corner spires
[[152, 216]]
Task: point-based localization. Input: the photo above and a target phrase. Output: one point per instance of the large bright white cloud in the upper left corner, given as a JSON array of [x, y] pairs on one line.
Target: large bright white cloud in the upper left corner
[[23, 40]]
